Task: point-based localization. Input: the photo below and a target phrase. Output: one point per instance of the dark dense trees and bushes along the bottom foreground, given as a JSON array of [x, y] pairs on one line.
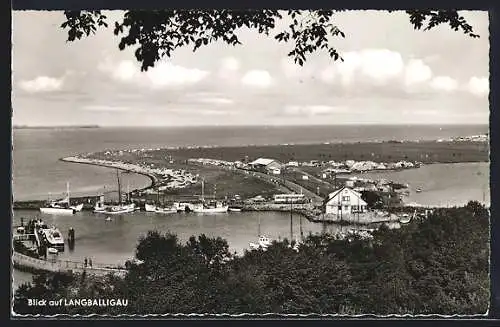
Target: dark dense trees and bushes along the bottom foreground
[[438, 265]]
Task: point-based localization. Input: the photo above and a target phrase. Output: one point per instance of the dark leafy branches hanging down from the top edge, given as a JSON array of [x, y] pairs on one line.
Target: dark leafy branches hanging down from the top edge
[[160, 33]]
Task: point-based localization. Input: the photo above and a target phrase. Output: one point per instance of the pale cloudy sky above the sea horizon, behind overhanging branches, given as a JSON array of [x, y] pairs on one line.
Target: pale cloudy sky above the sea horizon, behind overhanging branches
[[391, 74]]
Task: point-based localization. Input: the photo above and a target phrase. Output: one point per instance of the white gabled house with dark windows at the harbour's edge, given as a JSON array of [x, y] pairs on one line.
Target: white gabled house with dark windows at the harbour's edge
[[344, 201]]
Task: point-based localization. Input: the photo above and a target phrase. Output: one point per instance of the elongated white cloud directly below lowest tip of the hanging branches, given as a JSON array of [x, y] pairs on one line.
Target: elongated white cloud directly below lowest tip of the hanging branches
[[163, 75]]
